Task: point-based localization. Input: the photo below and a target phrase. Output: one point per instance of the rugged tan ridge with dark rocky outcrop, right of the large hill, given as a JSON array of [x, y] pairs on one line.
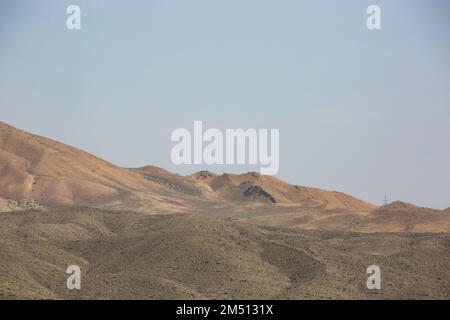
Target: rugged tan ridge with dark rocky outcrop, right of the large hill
[[253, 187]]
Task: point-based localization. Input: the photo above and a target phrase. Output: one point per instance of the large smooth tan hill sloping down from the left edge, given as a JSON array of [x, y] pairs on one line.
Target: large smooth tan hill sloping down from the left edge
[[44, 172]]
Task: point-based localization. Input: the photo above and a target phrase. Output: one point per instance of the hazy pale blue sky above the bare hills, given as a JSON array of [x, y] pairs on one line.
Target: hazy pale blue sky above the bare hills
[[362, 112]]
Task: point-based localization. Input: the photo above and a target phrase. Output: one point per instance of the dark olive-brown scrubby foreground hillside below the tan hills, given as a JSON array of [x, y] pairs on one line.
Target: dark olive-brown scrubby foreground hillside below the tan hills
[[125, 255]]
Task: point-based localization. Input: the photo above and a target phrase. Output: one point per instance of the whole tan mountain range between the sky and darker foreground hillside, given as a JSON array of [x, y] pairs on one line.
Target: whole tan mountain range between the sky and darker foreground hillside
[[39, 173]]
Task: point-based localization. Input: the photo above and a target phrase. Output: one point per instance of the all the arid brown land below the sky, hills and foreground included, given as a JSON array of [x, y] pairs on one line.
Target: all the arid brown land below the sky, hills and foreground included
[[147, 233]]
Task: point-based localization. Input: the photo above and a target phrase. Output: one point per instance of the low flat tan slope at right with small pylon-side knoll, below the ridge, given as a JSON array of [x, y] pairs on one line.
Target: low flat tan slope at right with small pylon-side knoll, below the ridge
[[394, 217]]
